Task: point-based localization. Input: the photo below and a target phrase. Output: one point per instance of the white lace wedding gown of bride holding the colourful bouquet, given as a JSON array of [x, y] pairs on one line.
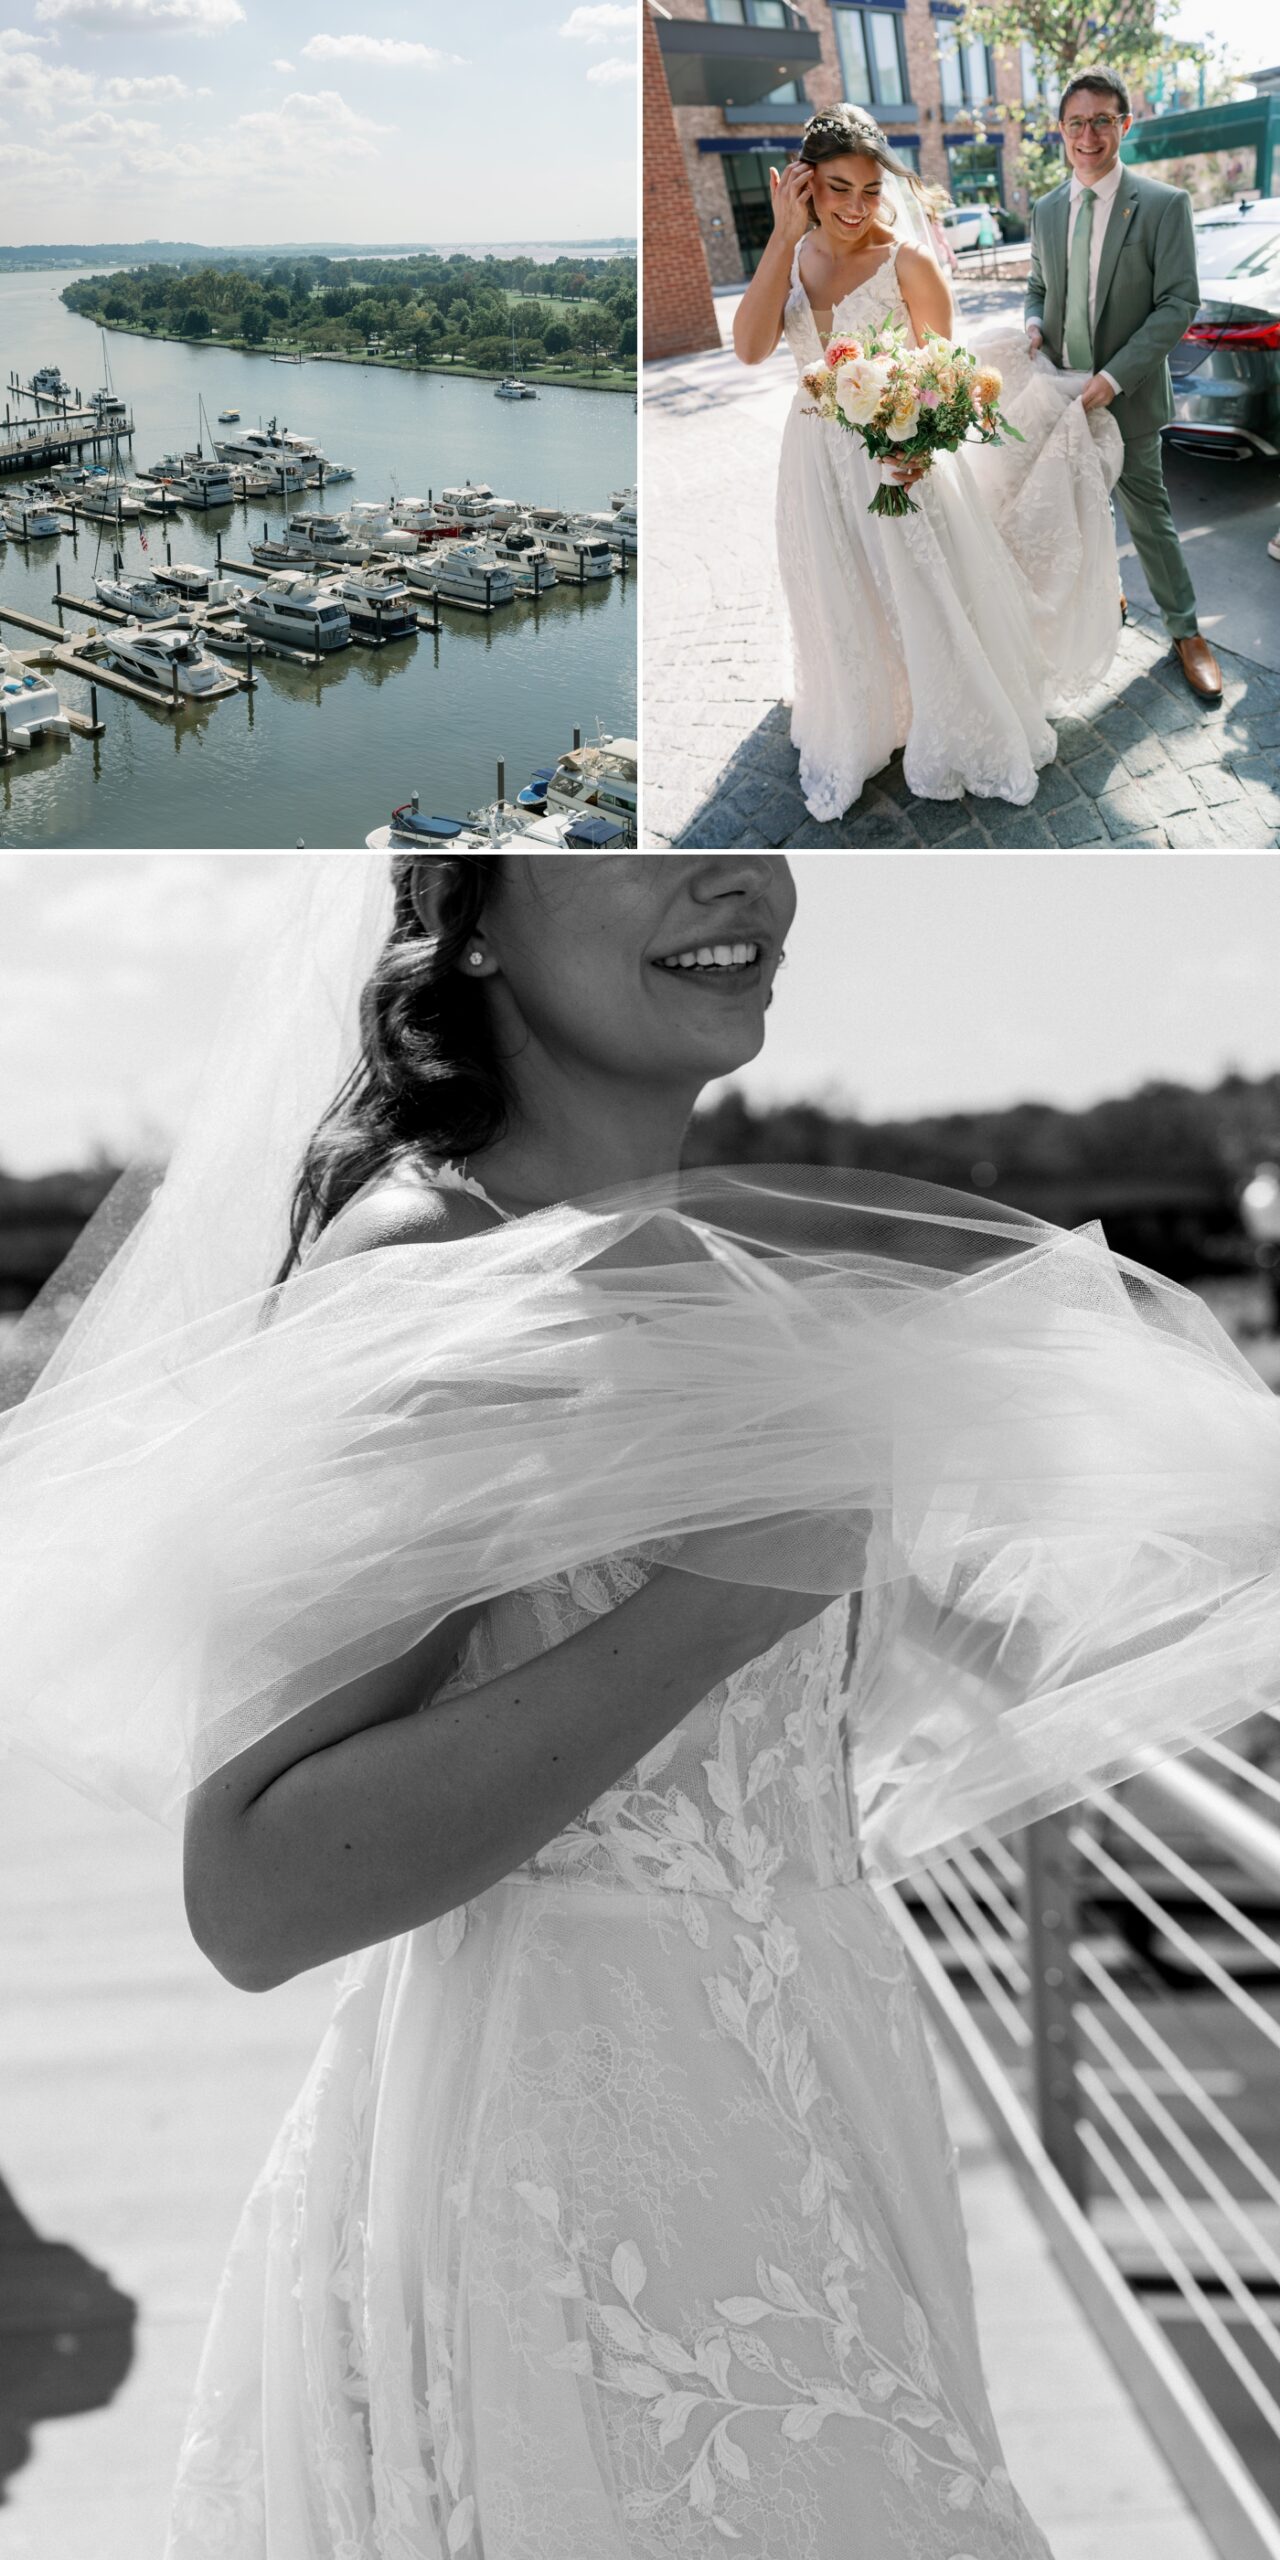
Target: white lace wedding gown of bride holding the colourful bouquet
[[948, 634]]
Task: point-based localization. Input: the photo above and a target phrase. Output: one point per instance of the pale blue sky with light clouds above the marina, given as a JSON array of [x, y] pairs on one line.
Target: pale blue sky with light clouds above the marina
[[234, 122]]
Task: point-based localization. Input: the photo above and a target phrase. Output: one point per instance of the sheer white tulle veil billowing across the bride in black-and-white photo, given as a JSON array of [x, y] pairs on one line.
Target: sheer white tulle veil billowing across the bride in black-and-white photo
[[1048, 1473]]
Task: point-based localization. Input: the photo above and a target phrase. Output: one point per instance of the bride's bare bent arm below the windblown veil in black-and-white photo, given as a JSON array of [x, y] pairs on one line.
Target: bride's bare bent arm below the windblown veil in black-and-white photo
[[365, 1816]]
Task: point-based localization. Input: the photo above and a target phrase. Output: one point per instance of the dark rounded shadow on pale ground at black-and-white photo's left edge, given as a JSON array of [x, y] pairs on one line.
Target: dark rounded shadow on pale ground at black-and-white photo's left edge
[[65, 2333]]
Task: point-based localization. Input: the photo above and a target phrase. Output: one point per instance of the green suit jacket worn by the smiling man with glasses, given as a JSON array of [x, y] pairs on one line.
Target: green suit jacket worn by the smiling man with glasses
[[1148, 293]]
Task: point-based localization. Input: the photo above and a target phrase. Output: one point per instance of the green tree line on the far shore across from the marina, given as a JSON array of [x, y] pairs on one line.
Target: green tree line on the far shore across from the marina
[[572, 311]]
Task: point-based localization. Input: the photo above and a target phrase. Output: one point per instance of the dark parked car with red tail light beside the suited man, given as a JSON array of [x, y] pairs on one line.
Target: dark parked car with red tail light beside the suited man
[[1228, 365]]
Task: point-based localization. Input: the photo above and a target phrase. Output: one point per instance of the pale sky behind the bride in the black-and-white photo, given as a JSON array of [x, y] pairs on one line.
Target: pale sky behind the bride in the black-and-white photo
[[913, 984]]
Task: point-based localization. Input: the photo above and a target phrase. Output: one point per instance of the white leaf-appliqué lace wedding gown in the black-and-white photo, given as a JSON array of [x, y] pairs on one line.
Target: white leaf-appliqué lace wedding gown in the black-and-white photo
[[616, 2218]]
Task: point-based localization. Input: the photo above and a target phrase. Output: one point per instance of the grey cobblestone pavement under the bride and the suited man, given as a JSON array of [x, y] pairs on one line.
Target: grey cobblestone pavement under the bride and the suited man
[[1143, 764]]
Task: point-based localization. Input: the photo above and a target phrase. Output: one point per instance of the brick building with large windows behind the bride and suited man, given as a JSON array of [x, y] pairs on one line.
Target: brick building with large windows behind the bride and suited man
[[936, 99]]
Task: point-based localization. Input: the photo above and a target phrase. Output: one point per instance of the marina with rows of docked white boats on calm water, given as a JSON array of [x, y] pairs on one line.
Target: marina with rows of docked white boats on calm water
[[465, 639]]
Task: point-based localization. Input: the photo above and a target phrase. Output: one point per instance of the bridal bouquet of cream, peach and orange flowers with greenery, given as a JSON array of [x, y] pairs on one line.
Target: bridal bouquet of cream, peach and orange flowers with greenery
[[908, 403]]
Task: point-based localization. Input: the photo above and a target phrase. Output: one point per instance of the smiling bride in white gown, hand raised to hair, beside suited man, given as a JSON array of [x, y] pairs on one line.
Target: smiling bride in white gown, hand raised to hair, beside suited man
[[948, 634]]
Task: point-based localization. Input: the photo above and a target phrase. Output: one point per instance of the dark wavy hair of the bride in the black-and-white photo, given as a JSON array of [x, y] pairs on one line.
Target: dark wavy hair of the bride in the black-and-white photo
[[426, 1079]]
